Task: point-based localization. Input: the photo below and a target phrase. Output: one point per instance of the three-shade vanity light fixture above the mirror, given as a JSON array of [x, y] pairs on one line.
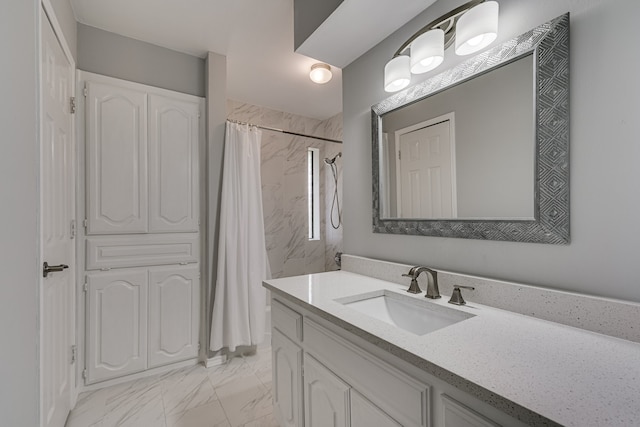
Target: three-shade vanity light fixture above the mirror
[[472, 26]]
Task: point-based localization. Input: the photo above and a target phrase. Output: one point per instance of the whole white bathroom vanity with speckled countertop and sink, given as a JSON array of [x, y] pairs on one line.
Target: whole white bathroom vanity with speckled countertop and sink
[[338, 361]]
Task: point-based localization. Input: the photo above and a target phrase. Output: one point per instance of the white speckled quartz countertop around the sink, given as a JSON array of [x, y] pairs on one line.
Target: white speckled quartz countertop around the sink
[[567, 375]]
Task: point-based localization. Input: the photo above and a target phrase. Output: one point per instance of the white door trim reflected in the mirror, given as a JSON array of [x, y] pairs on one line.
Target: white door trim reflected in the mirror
[[451, 118]]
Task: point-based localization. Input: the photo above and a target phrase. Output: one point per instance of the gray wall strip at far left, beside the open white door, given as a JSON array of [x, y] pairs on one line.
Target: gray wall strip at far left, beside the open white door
[[19, 255]]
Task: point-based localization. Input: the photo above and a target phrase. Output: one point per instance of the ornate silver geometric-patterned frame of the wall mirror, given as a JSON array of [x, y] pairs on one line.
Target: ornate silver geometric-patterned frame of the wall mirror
[[549, 44]]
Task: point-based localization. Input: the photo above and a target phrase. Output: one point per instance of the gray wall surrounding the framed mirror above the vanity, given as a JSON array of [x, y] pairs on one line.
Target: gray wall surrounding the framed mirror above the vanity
[[602, 258]]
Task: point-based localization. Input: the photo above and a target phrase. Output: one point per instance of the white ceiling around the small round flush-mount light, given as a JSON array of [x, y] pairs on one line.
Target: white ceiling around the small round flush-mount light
[[255, 35]]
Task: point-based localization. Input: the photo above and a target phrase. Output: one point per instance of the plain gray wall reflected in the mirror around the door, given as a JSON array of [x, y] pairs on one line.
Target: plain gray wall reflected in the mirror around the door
[[494, 139]]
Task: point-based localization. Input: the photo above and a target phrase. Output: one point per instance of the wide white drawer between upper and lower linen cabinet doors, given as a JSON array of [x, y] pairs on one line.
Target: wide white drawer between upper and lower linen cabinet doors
[[141, 250]]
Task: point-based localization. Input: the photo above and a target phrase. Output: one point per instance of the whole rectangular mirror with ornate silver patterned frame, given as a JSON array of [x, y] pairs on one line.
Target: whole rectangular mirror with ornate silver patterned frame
[[480, 151]]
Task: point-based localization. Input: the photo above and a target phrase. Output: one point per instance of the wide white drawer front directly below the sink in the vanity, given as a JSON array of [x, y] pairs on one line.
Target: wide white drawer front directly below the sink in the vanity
[[393, 391]]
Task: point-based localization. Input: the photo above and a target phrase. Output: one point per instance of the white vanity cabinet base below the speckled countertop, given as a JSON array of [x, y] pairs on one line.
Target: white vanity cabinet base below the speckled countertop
[[344, 384]]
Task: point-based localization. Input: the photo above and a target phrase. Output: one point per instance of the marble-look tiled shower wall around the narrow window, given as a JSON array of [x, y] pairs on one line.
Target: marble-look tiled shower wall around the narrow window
[[284, 188]]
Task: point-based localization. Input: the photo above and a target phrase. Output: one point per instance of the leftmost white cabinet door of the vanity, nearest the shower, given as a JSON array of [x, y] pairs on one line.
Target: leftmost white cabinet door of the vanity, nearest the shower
[[287, 380]]
